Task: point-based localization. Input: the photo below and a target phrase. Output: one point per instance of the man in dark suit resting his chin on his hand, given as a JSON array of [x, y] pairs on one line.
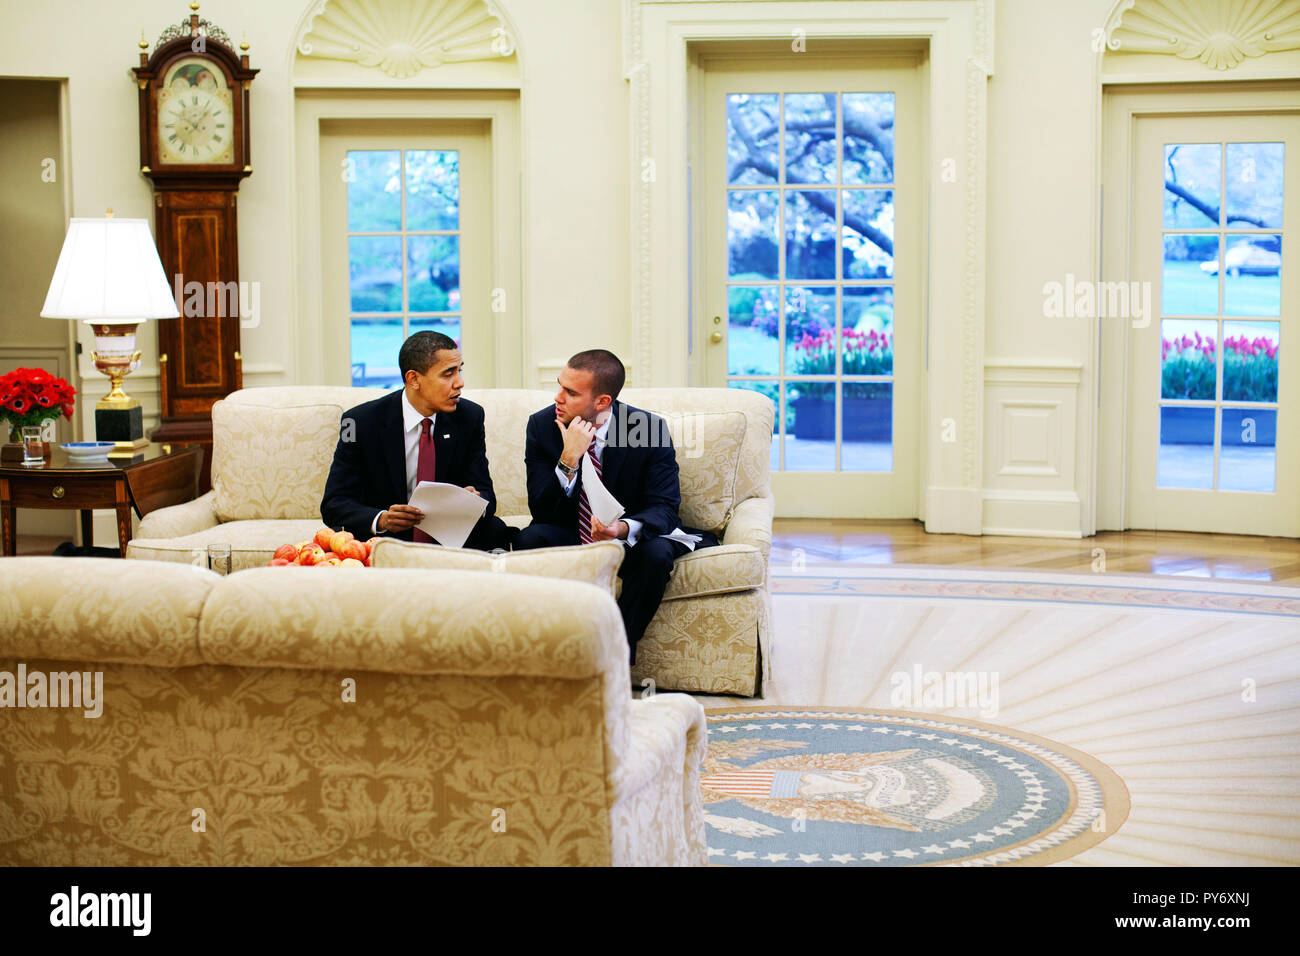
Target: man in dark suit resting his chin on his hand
[[632, 457]]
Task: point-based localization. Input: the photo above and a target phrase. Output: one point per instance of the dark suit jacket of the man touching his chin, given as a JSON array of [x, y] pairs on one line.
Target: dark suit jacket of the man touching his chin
[[639, 468]]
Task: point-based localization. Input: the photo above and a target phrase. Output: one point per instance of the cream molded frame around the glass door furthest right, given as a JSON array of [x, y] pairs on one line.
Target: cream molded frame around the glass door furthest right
[[1121, 110]]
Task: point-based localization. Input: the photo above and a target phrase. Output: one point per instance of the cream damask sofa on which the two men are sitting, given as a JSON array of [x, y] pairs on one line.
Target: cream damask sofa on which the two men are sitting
[[272, 451]]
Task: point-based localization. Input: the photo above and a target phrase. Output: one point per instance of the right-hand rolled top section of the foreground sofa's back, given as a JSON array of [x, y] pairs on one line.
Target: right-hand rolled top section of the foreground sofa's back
[[402, 621]]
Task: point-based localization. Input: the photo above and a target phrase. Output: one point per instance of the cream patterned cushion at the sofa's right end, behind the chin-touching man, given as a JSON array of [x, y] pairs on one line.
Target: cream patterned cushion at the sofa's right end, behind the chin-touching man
[[708, 447]]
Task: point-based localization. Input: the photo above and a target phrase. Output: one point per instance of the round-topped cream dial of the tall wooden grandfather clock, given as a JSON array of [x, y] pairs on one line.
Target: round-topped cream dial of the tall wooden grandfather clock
[[194, 115]]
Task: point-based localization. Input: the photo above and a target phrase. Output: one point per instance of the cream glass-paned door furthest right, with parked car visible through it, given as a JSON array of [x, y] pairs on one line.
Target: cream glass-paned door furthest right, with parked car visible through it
[[1214, 397]]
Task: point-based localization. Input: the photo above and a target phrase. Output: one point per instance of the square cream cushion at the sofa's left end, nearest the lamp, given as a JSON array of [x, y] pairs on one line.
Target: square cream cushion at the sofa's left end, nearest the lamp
[[272, 462]]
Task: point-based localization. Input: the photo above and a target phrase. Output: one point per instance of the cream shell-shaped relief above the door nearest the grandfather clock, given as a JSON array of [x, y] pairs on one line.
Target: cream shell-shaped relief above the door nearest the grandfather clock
[[404, 37]]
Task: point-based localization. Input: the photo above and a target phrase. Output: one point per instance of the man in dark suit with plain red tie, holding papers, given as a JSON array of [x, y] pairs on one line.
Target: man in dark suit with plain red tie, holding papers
[[422, 432]]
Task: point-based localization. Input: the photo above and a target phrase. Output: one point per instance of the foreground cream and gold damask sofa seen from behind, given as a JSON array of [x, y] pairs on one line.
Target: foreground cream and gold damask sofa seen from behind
[[345, 717]]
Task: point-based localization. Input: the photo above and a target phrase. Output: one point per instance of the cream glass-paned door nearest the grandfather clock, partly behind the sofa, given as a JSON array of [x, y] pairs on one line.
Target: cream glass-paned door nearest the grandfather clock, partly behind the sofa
[[406, 245]]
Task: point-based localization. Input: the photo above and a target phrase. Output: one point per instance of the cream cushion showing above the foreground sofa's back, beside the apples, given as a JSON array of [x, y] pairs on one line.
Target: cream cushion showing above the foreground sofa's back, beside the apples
[[596, 564]]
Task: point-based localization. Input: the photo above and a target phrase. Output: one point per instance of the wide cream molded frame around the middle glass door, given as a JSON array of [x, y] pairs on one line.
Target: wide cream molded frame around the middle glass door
[[955, 77]]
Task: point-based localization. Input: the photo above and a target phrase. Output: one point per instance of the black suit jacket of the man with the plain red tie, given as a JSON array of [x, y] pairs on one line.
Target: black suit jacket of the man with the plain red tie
[[369, 474]]
